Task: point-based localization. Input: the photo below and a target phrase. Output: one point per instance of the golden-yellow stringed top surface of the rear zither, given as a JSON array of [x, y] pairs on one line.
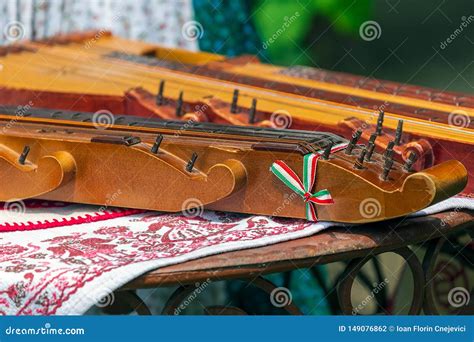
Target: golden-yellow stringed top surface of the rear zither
[[308, 99]]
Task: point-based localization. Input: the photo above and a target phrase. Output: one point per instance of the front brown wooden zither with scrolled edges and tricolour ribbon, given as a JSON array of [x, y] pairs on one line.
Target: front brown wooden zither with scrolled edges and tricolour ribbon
[[179, 166]]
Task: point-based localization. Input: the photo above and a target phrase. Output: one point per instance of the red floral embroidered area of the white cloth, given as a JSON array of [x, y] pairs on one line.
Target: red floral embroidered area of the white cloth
[[47, 269]]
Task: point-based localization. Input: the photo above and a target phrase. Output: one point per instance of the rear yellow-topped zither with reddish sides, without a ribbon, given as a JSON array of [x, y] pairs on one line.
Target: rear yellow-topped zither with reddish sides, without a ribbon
[[98, 72]]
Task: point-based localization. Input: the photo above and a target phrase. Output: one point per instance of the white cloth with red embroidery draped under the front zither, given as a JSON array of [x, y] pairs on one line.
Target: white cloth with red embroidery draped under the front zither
[[88, 252]]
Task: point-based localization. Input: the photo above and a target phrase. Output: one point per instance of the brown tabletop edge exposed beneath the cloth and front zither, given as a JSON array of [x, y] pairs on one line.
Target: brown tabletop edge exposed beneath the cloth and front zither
[[334, 244]]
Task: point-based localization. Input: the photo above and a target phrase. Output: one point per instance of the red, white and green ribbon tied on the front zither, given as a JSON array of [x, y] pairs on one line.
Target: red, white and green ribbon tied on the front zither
[[303, 188]]
